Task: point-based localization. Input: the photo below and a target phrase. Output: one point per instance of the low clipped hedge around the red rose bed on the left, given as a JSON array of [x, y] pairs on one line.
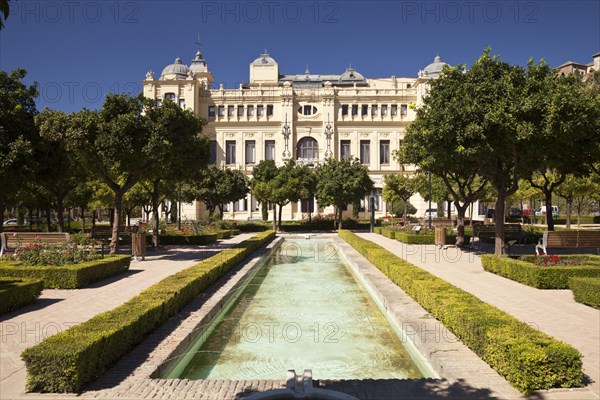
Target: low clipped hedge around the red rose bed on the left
[[69, 276]]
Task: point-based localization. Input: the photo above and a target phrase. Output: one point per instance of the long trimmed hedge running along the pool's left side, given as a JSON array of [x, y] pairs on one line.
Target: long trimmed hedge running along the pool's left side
[[69, 360]]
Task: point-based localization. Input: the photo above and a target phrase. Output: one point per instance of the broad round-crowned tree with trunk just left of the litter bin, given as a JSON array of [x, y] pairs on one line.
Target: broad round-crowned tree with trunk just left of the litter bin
[[117, 144]]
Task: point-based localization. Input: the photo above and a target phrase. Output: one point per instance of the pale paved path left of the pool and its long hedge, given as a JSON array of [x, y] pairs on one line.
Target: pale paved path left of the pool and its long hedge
[[57, 310]]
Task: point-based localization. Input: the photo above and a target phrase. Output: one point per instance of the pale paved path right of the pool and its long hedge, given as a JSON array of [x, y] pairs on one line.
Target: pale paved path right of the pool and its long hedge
[[551, 311]]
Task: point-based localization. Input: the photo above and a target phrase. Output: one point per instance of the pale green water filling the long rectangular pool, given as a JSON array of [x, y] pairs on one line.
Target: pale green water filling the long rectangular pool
[[302, 310]]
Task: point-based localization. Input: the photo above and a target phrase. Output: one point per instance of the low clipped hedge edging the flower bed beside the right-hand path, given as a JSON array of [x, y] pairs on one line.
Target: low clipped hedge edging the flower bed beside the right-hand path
[[527, 273]]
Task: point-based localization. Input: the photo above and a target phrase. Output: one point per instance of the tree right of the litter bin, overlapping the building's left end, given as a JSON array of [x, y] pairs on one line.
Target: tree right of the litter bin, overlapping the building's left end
[[179, 150]]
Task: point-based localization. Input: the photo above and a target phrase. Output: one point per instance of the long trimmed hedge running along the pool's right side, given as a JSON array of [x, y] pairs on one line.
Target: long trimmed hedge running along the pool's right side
[[527, 358]]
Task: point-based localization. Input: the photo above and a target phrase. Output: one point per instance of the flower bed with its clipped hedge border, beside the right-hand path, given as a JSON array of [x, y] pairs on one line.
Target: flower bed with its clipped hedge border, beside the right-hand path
[[543, 272]]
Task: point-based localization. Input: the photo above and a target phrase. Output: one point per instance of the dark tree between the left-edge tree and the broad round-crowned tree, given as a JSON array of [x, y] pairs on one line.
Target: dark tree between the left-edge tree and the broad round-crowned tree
[[59, 170]]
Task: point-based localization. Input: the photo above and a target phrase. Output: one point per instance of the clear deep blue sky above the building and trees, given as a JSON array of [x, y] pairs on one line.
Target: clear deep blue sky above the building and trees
[[80, 50]]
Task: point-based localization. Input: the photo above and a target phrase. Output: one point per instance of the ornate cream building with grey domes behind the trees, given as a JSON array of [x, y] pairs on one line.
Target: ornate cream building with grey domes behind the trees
[[304, 117]]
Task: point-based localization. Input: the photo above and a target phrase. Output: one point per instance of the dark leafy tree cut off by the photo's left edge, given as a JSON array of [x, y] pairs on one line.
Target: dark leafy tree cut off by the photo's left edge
[[17, 133]]
